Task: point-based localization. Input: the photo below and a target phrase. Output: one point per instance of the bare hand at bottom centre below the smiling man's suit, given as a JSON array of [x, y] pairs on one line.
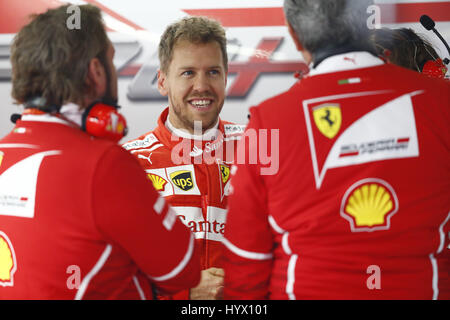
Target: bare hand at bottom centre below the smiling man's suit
[[210, 286]]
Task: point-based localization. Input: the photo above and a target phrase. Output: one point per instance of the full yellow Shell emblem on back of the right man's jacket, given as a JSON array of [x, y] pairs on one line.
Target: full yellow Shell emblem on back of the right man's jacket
[[369, 205]]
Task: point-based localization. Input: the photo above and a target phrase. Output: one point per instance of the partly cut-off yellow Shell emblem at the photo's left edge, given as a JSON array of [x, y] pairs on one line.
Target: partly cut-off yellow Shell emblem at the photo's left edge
[[8, 265]]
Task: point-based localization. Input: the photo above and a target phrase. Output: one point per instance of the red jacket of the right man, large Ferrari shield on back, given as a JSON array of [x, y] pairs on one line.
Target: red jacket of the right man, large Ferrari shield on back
[[360, 206]]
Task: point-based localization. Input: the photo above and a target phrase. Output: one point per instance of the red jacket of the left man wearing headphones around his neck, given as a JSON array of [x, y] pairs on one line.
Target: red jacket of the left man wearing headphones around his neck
[[75, 207]]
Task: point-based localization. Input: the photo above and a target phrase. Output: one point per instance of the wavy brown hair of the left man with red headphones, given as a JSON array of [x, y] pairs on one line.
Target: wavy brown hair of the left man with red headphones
[[51, 61]]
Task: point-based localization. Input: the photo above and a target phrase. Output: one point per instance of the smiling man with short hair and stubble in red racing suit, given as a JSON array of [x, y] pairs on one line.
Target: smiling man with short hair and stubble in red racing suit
[[187, 157]]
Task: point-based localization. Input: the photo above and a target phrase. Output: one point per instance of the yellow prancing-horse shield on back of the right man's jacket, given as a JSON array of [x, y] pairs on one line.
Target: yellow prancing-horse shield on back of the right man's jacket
[[328, 119]]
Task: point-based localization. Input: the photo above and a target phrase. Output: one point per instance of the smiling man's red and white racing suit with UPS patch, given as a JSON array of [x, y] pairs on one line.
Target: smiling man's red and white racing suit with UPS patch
[[197, 188]]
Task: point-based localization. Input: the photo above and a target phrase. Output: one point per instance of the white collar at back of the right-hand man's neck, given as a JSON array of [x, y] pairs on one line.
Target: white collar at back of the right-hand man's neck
[[346, 61]]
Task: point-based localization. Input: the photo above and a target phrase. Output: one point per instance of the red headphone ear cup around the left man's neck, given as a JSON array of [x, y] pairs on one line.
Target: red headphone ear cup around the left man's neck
[[104, 121]]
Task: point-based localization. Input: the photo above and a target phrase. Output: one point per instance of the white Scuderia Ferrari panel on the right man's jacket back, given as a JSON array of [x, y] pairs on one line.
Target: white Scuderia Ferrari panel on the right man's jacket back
[[391, 125]]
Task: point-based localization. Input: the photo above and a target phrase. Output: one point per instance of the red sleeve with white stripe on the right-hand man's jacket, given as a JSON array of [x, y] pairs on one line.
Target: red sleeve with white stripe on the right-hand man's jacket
[[248, 238]]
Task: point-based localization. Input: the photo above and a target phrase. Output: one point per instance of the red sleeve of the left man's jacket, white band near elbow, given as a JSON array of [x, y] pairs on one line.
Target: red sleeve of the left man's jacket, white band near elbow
[[129, 213]]
